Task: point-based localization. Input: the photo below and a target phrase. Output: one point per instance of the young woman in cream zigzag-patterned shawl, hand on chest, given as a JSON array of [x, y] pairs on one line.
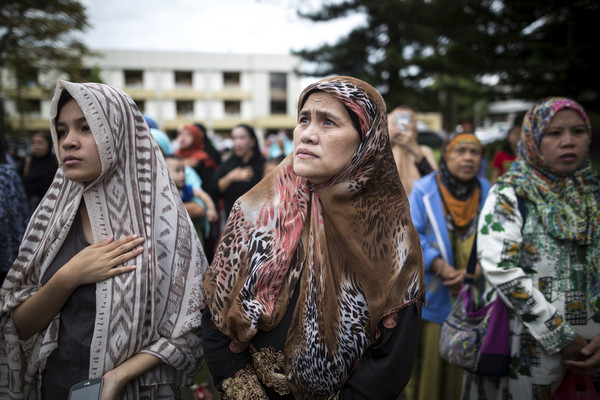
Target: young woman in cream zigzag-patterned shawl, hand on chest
[[127, 307]]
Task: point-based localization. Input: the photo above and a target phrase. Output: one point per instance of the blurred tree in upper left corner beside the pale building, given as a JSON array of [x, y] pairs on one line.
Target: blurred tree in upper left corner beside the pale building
[[40, 35]]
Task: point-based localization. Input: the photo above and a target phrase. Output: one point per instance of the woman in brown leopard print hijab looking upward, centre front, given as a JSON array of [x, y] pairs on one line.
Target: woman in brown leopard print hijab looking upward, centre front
[[316, 288]]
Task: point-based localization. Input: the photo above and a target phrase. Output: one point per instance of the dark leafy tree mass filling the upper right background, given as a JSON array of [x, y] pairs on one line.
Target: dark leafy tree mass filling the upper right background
[[448, 55]]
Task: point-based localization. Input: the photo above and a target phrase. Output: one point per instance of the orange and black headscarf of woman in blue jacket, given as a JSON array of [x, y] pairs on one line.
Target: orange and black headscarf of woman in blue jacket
[[459, 189]]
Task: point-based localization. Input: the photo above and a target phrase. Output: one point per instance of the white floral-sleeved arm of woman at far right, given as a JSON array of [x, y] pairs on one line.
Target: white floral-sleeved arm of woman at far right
[[500, 243]]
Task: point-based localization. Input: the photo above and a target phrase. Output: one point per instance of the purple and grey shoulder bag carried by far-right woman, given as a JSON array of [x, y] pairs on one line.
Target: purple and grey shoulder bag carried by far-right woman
[[475, 338]]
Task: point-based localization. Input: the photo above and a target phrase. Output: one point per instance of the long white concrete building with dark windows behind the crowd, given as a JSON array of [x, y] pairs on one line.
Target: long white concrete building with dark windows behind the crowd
[[174, 88]]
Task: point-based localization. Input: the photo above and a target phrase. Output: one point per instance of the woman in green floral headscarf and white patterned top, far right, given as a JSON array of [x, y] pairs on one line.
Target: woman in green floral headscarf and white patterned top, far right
[[545, 267]]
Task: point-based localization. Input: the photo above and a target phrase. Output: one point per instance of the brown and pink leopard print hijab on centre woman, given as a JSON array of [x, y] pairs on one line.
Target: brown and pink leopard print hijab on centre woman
[[349, 245]]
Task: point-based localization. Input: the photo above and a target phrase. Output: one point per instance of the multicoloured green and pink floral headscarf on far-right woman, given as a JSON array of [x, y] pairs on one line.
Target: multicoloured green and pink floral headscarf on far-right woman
[[568, 205]]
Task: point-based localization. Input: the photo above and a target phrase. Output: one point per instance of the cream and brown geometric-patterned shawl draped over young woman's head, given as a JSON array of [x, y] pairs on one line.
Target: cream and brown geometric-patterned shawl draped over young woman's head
[[154, 309]]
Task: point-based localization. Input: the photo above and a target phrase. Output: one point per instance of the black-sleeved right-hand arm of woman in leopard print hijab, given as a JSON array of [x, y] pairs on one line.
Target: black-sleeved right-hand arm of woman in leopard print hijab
[[387, 366]]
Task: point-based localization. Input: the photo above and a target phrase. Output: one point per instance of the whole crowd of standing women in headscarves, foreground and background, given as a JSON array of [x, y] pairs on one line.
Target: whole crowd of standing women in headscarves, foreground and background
[[317, 267]]
